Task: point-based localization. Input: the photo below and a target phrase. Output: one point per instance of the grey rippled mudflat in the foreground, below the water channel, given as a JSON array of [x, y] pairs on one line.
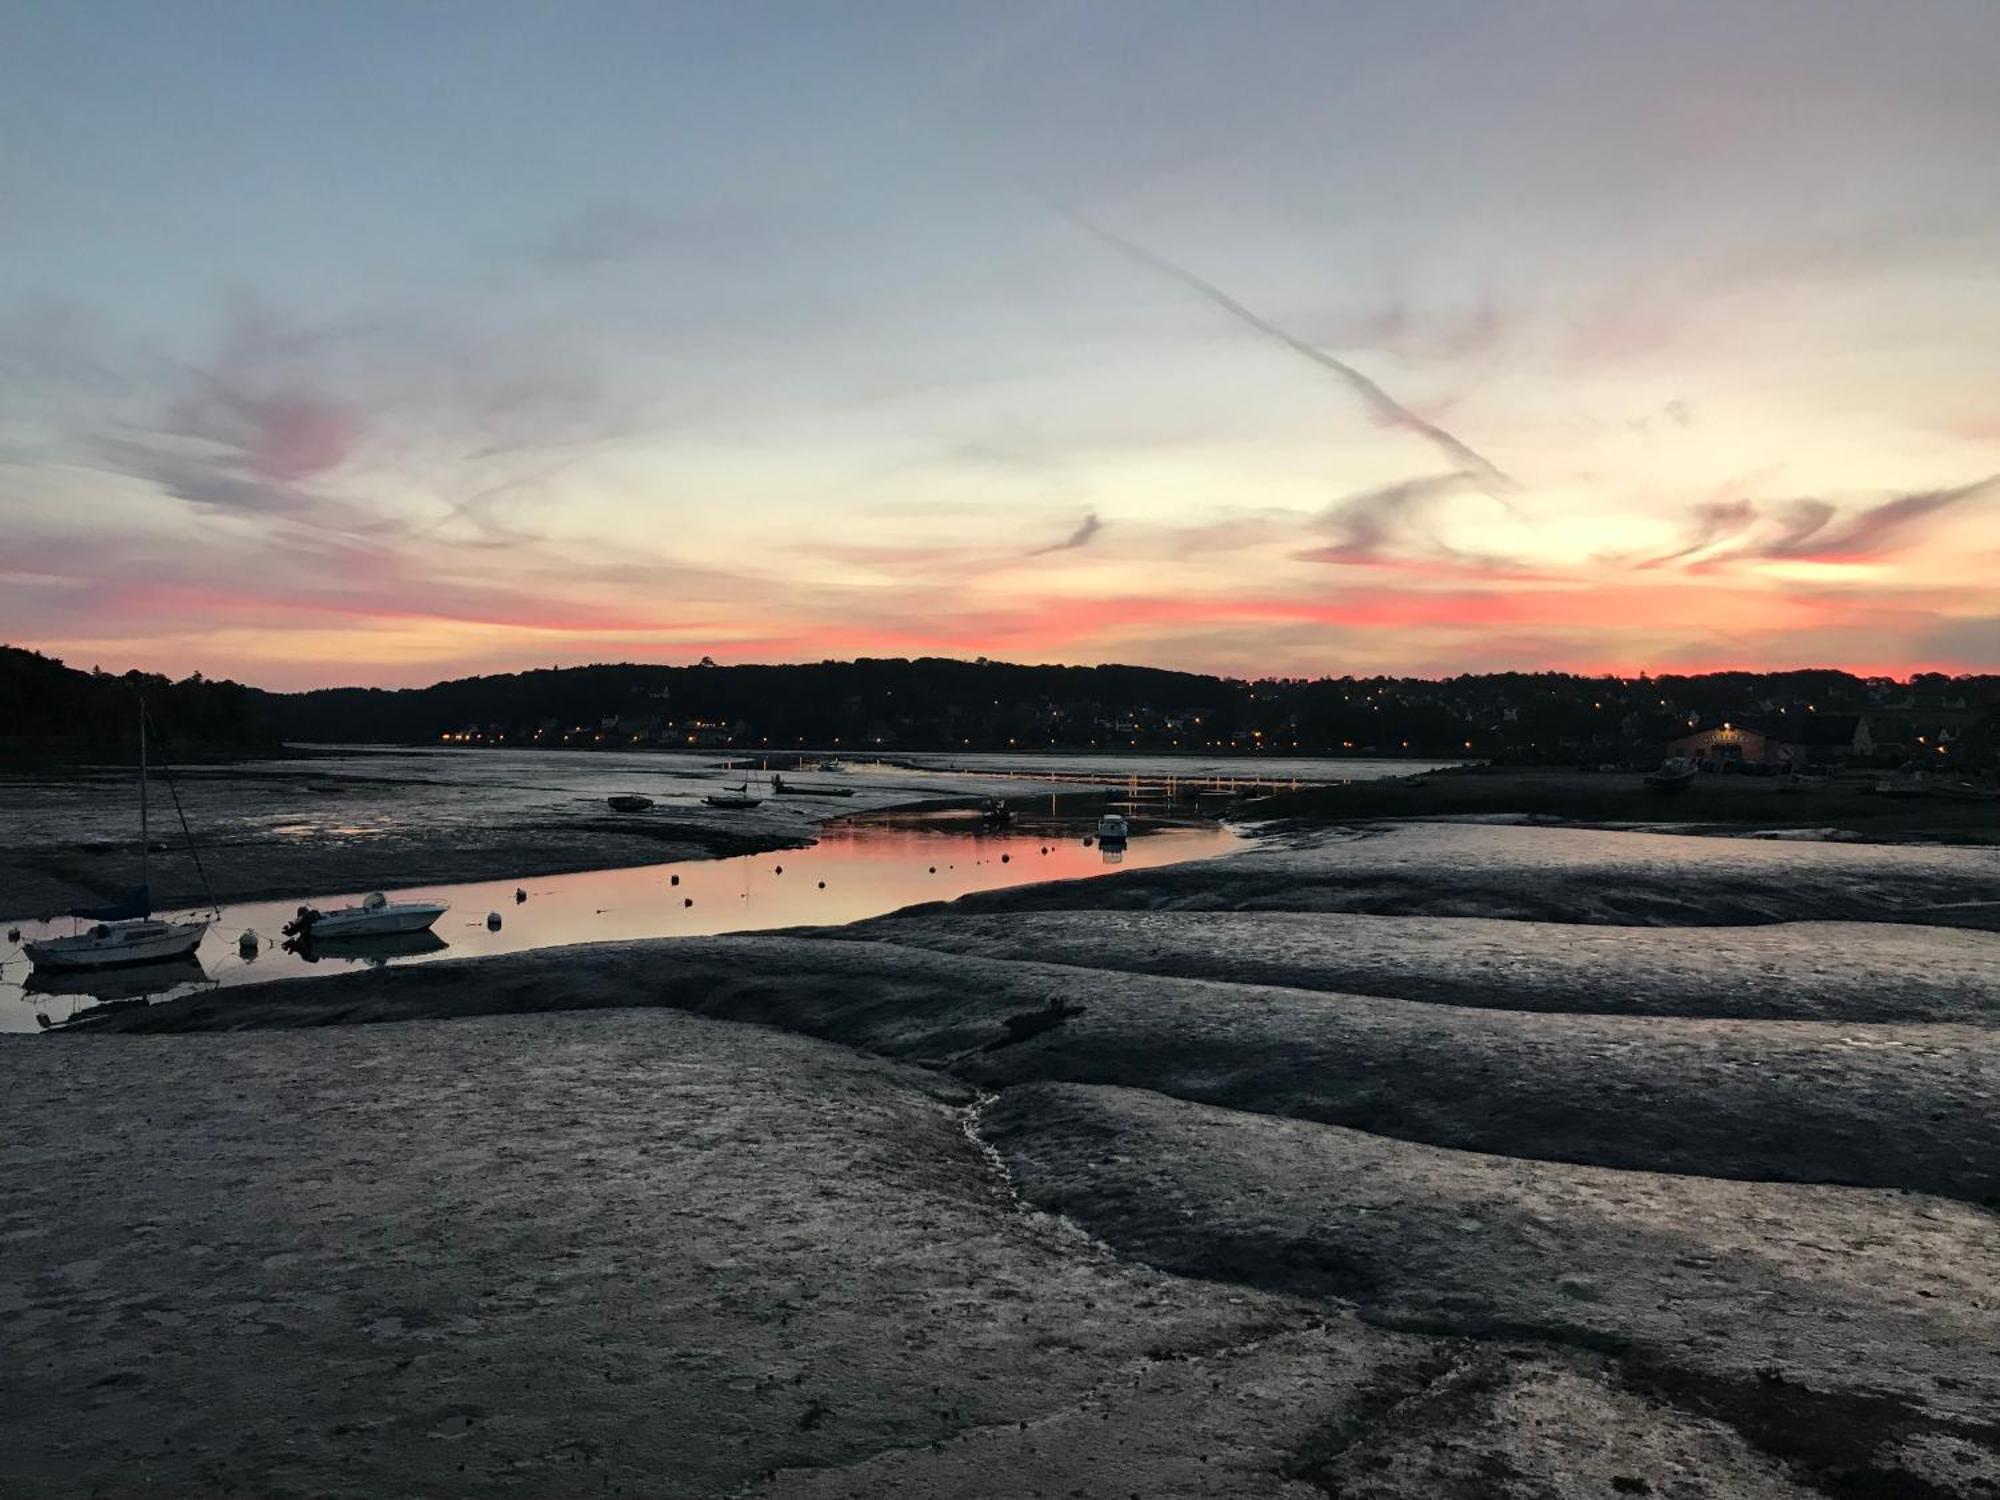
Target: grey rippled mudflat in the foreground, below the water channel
[[1345, 1167]]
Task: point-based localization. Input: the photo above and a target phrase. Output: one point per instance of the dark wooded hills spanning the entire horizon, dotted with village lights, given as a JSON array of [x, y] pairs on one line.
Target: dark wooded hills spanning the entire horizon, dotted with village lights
[[949, 705]]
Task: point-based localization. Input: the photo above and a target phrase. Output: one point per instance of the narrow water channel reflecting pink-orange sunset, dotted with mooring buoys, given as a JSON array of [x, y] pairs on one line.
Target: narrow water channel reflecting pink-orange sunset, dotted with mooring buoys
[[853, 873]]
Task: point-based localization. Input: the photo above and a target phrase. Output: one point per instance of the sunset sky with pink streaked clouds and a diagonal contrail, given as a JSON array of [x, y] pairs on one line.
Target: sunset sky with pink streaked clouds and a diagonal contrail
[[389, 343]]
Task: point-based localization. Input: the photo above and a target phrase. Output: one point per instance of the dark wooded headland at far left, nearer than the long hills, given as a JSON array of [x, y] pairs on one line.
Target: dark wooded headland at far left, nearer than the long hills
[[53, 709]]
